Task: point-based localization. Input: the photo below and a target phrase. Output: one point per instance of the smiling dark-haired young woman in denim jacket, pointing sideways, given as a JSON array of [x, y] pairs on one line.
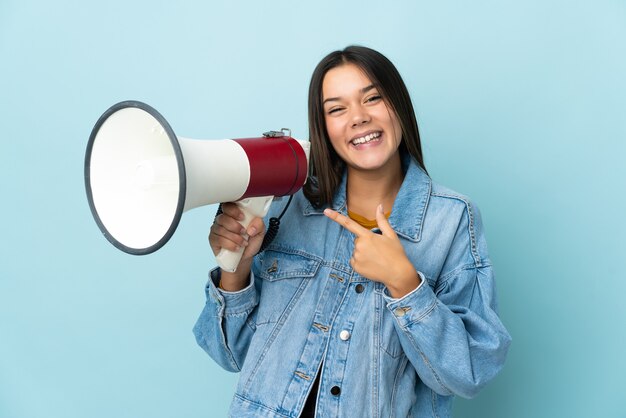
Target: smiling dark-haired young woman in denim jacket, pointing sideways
[[377, 297]]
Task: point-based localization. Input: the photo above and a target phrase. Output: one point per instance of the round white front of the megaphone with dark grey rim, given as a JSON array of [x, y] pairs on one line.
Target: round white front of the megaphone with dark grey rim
[[135, 177]]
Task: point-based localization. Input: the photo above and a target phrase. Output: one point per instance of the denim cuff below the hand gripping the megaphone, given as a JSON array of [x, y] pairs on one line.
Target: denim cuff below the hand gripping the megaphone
[[232, 303]]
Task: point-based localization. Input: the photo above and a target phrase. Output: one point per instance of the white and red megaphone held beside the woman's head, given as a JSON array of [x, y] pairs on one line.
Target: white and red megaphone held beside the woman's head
[[140, 177]]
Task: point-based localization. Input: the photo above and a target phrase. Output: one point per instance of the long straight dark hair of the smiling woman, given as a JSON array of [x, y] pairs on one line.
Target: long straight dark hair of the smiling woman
[[326, 167]]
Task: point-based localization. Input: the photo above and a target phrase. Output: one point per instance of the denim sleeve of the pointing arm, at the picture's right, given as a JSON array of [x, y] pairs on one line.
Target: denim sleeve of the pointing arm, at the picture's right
[[453, 335]]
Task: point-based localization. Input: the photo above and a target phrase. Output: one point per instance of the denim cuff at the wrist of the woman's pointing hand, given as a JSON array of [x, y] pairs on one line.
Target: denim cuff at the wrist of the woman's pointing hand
[[413, 306]]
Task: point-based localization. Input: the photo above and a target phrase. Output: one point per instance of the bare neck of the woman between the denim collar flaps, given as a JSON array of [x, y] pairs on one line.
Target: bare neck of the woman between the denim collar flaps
[[366, 189]]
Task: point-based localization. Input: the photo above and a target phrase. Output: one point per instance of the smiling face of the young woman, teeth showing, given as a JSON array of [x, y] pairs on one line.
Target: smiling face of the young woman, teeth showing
[[362, 129]]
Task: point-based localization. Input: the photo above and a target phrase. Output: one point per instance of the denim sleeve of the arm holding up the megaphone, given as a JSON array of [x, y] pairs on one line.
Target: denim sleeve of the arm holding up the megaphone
[[225, 326]]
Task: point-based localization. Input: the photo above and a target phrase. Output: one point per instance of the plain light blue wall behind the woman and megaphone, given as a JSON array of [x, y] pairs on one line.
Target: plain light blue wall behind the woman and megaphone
[[521, 105]]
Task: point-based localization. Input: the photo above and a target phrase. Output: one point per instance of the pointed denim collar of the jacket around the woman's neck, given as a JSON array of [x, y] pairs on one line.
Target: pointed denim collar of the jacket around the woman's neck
[[407, 214]]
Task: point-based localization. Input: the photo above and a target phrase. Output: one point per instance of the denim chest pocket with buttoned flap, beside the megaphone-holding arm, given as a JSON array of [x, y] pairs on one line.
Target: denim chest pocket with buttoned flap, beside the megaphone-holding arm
[[284, 278]]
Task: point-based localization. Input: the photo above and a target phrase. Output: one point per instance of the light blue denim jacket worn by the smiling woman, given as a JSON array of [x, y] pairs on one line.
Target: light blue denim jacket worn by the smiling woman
[[307, 312]]
